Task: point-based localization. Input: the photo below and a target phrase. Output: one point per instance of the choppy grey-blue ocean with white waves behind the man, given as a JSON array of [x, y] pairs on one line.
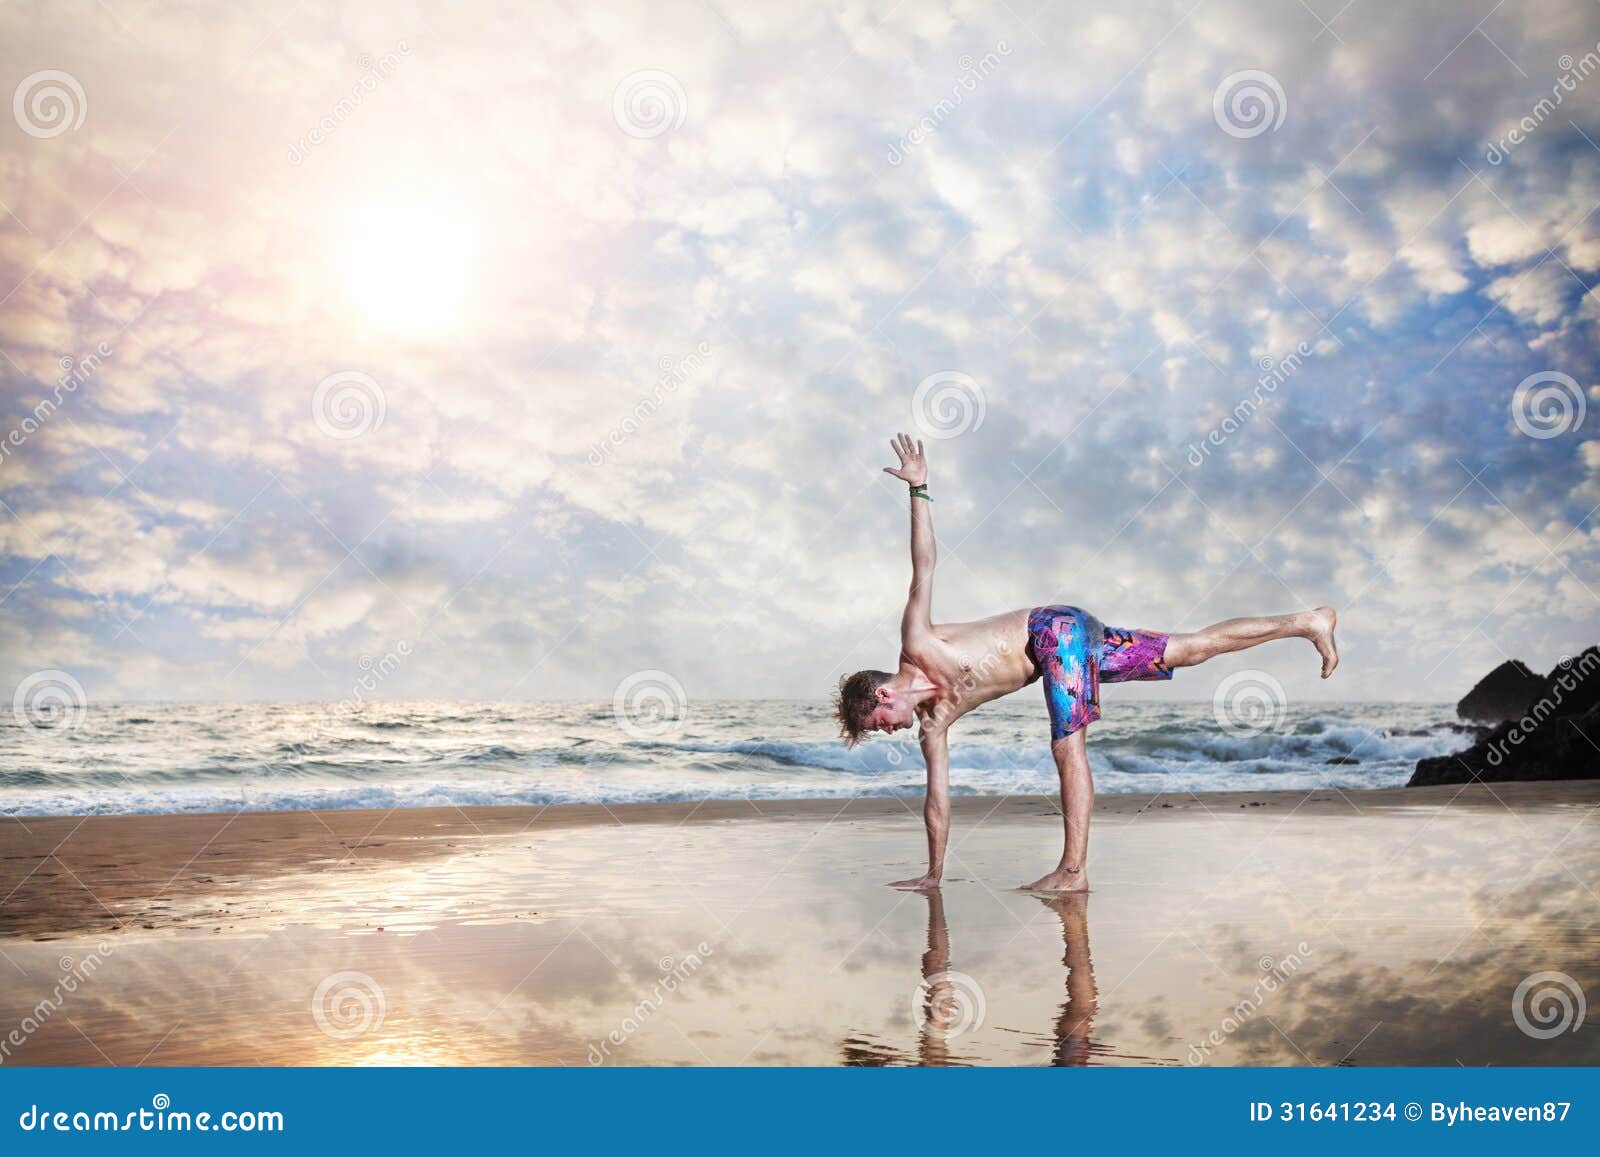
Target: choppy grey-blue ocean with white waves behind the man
[[158, 758]]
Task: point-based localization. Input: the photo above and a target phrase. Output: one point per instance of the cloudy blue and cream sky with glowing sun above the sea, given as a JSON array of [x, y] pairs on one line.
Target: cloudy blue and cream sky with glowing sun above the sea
[[514, 350]]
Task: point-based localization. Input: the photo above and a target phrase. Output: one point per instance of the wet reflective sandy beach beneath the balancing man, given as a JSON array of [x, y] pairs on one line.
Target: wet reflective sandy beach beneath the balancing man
[[1380, 927]]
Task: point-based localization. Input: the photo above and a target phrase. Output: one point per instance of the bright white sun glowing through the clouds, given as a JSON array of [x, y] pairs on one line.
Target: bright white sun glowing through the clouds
[[406, 266]]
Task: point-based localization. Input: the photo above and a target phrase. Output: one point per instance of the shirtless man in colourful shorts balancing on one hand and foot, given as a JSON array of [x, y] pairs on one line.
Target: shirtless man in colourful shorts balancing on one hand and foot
[[948, 670]]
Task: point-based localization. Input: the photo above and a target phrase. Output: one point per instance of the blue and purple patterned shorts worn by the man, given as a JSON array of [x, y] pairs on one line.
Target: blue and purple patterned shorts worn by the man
[[1074, 654]]
